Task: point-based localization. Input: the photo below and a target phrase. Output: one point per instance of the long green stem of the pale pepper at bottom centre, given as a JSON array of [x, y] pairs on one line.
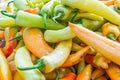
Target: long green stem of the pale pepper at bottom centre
[[40, 65]]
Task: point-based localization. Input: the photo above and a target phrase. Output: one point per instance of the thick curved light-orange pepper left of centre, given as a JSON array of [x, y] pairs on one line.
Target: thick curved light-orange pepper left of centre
[[34, 41]]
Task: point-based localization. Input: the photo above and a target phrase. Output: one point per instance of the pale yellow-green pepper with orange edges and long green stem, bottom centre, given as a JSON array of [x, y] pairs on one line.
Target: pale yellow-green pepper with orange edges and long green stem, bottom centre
[[54, 60]]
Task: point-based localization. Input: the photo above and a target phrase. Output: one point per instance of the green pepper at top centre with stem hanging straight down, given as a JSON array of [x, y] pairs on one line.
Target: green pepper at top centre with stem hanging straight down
[[47, 9]]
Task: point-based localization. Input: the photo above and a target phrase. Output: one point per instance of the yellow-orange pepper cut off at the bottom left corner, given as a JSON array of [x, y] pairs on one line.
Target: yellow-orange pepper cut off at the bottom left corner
[[5, 73]]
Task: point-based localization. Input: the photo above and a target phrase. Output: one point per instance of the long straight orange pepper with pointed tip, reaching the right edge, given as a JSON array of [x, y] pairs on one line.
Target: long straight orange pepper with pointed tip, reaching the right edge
[[108, 48]]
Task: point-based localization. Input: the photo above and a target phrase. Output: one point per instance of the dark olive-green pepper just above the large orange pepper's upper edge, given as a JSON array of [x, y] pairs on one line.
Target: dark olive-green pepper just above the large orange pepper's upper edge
[[92, 25]]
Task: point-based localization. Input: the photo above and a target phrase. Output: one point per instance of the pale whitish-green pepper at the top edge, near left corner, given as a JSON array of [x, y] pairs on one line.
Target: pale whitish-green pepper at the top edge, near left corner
[[21, 4]]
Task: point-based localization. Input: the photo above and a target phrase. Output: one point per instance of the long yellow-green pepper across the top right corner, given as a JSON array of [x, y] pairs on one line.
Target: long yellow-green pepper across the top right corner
[[94, 6]]
